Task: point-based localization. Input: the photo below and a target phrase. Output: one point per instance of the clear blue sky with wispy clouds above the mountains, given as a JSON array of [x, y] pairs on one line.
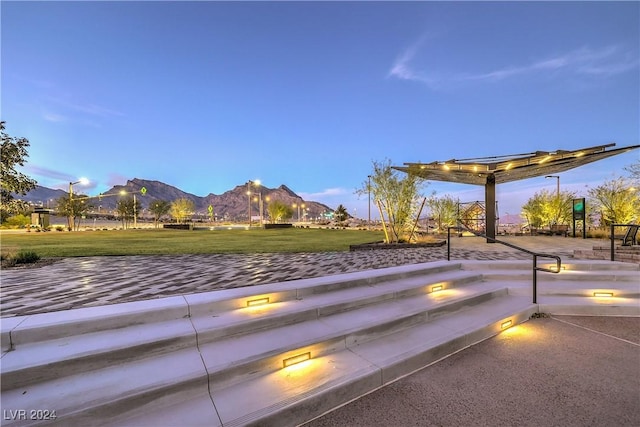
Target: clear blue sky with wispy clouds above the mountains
[[207, 95]]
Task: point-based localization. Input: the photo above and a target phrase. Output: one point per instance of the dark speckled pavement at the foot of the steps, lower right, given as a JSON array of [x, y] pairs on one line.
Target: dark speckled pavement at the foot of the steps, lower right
[[558, 371]]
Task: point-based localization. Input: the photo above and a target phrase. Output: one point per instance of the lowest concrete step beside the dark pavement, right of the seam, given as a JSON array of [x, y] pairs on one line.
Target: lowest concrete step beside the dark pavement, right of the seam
[[292, 395]]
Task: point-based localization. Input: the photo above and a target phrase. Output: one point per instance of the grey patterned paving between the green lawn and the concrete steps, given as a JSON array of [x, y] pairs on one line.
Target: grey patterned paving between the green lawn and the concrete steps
[[92, 281]]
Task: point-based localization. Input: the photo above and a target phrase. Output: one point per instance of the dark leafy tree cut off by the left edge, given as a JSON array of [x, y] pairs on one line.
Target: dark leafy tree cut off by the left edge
[[13, 152]]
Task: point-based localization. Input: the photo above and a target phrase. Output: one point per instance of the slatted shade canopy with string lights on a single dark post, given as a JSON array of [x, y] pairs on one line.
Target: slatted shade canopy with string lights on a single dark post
[[489, 171]]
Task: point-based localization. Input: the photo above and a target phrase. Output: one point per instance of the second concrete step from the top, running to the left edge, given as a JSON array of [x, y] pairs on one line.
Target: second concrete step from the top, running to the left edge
[[90, 351]]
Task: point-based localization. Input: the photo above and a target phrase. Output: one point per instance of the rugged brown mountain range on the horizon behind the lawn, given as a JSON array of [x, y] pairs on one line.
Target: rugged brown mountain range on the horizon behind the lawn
[[232, 204]]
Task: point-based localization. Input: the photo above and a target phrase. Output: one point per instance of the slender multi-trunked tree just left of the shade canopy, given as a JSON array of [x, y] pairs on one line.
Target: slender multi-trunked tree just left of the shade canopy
[[398, 197]]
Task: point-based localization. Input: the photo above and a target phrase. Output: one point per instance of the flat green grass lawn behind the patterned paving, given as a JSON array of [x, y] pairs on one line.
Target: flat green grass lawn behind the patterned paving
[[163, 242]]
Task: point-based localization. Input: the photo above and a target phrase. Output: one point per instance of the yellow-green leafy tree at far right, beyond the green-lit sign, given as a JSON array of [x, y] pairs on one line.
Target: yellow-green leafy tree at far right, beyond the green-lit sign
[[617, 201]]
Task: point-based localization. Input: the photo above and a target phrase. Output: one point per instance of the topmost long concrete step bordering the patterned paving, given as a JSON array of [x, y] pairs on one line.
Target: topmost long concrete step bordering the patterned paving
[[50, 326]]
